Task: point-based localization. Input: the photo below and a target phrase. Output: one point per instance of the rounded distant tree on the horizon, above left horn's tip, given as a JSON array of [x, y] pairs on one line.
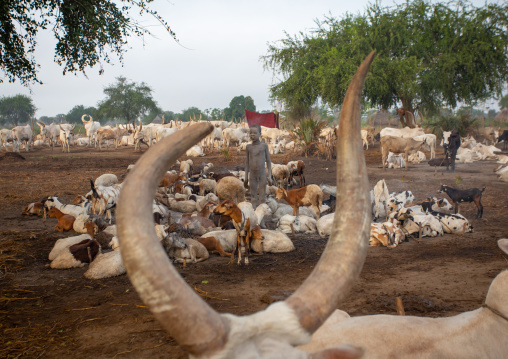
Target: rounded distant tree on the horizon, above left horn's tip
[[126, 101]]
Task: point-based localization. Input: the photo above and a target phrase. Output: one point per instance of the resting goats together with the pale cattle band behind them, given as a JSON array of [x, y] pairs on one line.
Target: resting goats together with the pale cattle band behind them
[[192, 216]]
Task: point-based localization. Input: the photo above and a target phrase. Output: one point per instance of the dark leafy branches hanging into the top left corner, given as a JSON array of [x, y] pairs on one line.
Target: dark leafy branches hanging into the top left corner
[[87, 33]]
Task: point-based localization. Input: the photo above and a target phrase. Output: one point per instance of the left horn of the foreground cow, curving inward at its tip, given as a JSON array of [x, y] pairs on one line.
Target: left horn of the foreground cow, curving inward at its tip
[[156, 280]]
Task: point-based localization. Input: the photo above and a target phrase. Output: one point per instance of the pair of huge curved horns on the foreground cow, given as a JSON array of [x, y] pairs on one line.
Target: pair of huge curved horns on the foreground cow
[[192, 322]]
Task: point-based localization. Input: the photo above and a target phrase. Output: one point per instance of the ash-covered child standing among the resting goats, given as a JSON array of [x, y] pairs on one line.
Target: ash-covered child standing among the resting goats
[[257, 155]]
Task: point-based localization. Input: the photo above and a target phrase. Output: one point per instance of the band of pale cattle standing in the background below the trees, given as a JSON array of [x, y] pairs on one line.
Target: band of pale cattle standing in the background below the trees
[[399, 147]]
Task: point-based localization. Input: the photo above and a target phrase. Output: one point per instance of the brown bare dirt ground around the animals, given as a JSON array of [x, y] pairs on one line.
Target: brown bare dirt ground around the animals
[[47, 313]]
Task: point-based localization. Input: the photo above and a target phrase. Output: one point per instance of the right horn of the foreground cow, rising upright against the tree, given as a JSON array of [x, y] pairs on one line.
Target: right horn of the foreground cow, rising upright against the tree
[[344, 255]]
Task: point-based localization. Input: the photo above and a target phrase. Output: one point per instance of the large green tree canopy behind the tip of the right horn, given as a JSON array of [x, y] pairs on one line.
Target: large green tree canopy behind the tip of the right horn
[[428, 55]]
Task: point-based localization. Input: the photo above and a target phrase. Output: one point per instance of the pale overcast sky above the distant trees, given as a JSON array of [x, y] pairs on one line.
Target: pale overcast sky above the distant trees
[[222, 42]]
